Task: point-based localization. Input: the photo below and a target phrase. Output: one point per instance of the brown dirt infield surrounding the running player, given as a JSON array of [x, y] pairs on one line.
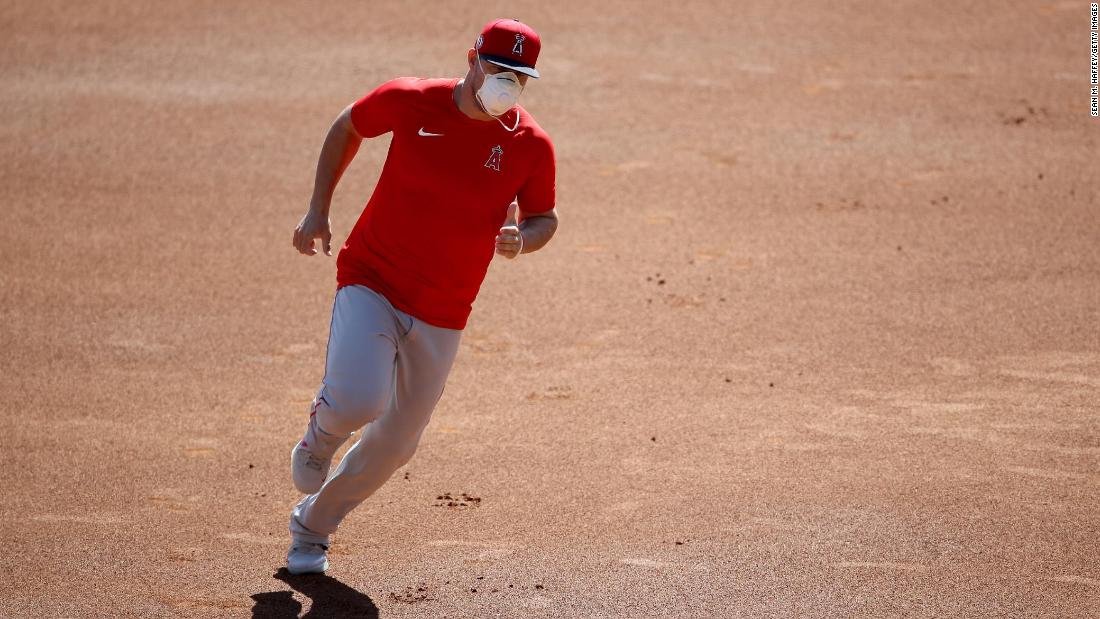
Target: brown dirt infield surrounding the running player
[[818, 336]]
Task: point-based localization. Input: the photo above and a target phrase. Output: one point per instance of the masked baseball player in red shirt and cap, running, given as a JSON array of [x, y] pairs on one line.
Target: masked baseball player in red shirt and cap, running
[[469, 173]]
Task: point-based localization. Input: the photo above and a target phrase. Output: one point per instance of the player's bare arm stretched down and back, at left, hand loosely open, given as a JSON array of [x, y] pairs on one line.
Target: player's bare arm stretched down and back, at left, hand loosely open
[[340, 147]]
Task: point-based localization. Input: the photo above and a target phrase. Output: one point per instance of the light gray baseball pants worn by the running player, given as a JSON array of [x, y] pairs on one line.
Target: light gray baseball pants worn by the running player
[[386, 370]]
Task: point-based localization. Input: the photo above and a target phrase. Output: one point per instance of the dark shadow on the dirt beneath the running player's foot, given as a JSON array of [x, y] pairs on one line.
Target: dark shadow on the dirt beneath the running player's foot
[[332, 600]]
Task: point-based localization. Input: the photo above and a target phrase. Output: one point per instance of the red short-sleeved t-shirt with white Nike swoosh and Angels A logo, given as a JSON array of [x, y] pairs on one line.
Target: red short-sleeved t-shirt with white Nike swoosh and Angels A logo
[[426, 238]]
